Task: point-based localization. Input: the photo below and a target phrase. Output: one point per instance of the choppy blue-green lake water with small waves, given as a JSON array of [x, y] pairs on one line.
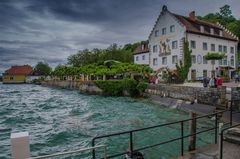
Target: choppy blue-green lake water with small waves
[[59, 120]]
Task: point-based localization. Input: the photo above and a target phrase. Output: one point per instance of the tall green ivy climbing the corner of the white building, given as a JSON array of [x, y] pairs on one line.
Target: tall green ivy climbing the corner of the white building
[[183, 67]]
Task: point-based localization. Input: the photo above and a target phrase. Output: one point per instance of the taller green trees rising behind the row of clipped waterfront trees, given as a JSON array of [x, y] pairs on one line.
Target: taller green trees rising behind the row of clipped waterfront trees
[[86, 57]]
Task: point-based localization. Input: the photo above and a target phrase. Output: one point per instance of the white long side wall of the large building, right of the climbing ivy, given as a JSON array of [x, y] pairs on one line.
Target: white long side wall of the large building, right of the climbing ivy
[[199, 67]]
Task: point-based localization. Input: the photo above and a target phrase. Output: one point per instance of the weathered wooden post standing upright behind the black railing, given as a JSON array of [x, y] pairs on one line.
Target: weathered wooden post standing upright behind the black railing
[[192, 131]]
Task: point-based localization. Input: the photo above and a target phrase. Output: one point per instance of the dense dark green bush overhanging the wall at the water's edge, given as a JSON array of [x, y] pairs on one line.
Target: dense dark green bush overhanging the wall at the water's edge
[[118, 87]]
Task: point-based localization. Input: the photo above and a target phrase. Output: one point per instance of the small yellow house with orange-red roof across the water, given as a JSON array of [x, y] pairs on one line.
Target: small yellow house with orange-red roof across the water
[[17, 74]]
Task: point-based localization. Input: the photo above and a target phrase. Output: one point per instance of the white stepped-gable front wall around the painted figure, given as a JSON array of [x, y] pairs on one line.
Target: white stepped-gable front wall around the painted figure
[[165, 21]]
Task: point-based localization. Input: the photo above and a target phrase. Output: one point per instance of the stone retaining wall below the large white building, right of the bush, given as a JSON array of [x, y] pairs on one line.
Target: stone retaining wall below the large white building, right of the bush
[[211, 96]]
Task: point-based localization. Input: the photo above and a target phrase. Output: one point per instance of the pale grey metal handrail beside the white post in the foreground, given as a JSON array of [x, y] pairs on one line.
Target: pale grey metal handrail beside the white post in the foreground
[[72, 152]]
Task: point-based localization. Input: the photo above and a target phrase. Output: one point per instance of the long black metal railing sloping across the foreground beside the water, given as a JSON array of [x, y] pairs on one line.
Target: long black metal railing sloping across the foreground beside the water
[[182, 137]]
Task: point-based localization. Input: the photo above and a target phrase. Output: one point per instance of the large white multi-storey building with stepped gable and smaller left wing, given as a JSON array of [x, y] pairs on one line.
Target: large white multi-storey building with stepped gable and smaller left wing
[[165, 44]]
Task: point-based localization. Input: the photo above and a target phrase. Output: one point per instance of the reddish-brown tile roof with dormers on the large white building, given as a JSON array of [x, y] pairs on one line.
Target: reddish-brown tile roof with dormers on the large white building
[[193, 26]]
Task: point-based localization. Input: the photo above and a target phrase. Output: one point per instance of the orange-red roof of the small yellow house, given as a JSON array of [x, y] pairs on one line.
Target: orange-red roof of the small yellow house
[[19, 70]]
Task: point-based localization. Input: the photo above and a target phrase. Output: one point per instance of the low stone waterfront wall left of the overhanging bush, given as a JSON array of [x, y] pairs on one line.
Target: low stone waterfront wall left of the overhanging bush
[[87, 87]]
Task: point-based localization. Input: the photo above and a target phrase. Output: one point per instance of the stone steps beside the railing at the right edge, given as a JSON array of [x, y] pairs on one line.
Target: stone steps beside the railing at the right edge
[[233, 136]]
